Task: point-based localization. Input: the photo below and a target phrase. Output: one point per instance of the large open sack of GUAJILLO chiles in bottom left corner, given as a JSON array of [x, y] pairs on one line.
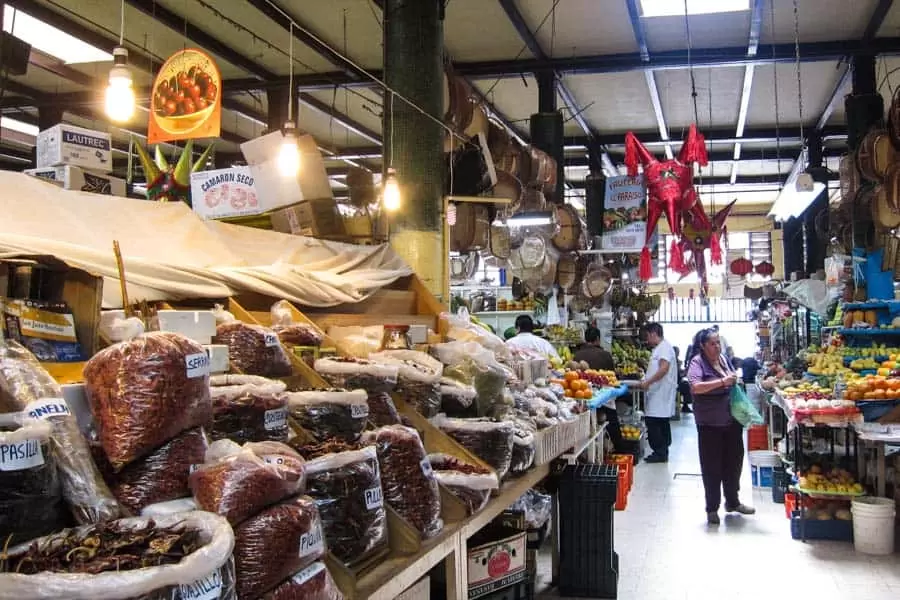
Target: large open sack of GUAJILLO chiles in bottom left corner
[[183, 554]]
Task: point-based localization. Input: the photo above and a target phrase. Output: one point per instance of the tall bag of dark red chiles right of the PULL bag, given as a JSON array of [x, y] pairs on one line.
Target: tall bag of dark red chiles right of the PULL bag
[[407, 478]]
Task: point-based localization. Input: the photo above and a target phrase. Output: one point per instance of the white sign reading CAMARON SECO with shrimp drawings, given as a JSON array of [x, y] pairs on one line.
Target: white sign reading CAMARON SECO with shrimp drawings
[[224, 193]]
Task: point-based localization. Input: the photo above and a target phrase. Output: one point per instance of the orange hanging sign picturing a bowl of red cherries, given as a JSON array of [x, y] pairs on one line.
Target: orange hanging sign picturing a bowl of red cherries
[[186, 98]]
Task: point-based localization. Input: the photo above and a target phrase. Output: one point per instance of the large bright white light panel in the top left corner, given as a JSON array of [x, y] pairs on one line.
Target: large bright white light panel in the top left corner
[[49, 39]]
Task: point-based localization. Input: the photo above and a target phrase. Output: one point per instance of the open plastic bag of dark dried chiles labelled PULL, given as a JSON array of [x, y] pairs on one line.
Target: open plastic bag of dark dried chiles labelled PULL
[[346, 486]]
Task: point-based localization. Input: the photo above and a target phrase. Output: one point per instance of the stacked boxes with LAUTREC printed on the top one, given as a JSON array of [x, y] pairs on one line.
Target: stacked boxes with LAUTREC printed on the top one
[[77, 159]]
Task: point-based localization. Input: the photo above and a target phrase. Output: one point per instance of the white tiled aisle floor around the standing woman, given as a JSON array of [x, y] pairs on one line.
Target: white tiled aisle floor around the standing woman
[[666, 551]]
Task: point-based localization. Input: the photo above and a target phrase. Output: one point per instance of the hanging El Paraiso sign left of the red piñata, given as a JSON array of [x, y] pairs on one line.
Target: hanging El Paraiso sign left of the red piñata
[[625, 214]]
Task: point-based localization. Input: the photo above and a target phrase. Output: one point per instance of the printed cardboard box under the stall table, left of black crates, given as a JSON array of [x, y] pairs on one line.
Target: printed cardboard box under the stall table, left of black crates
[[496, 564]]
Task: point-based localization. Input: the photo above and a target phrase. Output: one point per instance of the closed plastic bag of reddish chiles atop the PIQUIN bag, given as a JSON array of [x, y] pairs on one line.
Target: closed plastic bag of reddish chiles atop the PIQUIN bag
[[237, 482]]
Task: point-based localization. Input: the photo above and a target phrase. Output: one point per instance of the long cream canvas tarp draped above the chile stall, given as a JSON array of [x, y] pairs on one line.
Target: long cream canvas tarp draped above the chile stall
[[171, 254]]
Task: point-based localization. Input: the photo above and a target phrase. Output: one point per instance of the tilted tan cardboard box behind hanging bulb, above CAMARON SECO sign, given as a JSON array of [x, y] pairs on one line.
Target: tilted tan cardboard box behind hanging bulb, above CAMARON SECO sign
[[273, 189]]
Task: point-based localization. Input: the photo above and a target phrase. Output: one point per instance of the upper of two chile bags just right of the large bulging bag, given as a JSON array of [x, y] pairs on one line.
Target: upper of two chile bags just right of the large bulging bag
[[253, 349]]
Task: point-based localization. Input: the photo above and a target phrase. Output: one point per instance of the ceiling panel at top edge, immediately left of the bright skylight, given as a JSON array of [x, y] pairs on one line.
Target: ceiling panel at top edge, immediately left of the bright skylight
[[583, 27]]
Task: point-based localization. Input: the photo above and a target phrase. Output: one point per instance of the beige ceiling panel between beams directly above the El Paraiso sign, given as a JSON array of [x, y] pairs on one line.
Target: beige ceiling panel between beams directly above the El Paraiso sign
[[621, 101]]
